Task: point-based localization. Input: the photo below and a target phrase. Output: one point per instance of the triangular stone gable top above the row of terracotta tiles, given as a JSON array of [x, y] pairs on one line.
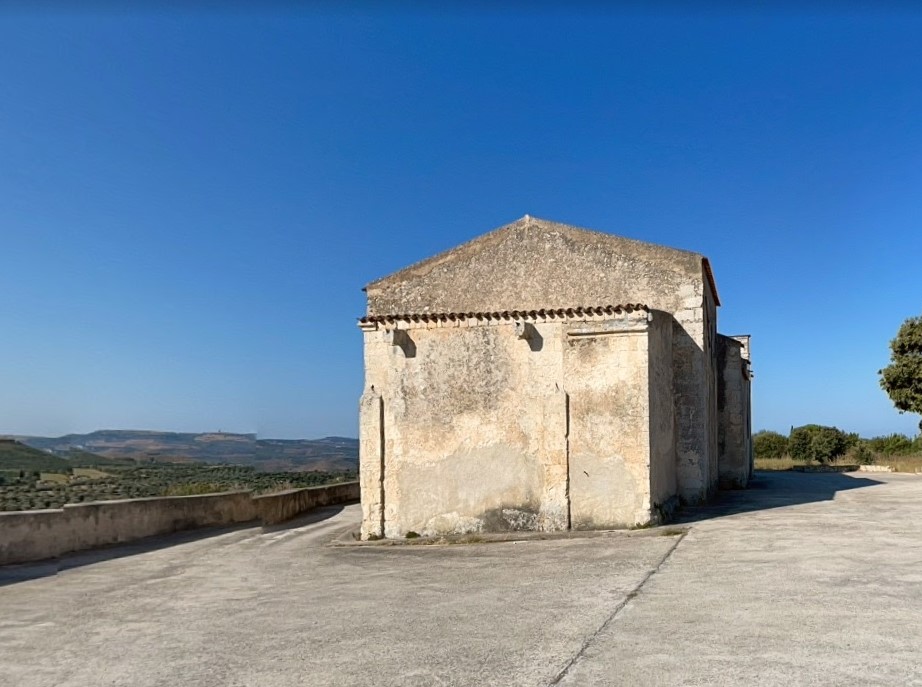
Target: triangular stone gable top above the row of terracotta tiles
[[534, 263]]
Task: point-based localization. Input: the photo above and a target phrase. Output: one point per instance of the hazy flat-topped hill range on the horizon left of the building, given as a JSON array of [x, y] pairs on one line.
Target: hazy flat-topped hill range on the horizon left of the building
[[327, 454]]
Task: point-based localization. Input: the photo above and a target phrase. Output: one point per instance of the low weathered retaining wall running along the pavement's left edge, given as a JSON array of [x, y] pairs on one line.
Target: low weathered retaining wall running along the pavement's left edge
[[36, 535]]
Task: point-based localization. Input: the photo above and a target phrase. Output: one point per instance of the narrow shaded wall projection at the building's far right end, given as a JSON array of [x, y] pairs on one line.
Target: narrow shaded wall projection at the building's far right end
[[734, 432]]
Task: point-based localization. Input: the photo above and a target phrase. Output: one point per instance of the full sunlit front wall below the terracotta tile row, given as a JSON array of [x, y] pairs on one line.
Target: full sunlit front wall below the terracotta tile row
[[471, 419]]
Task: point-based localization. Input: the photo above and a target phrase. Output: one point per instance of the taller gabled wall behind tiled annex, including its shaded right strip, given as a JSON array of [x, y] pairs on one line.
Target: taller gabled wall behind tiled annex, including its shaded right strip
[[533, 264]]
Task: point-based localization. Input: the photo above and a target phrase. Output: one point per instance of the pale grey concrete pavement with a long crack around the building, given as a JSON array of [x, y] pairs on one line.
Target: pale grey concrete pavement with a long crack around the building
[[806, 580]]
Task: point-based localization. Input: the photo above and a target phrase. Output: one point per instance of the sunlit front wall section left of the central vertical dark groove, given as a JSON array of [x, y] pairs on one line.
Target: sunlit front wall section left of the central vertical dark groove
[[473, 423]]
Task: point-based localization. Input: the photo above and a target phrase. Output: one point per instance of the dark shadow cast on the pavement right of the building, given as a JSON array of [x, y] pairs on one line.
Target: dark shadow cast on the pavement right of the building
[[776, 490]]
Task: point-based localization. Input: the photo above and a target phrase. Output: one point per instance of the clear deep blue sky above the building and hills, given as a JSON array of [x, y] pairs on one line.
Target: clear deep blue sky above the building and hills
[[192, 200]]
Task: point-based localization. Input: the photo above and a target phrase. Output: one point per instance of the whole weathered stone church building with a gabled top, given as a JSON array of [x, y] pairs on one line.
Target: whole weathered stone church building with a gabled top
[[547, 377]]
